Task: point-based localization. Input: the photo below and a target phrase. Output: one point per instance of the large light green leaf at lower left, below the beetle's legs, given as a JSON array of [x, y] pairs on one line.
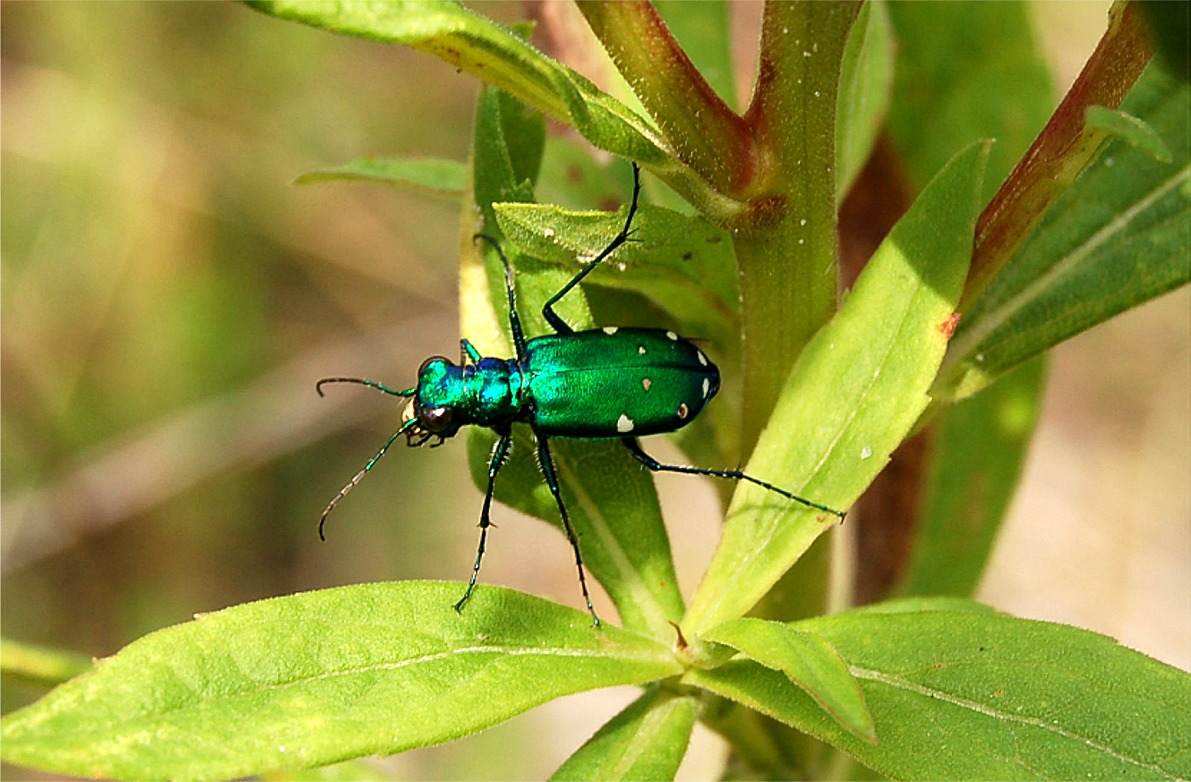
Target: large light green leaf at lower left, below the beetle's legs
[[320, 678]]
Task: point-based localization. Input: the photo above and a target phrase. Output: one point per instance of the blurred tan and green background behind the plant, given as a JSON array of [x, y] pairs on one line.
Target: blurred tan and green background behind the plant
[[170, 299]]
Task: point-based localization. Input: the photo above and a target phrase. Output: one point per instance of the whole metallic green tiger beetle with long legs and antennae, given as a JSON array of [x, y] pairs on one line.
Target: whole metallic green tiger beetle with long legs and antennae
[[602, 384]]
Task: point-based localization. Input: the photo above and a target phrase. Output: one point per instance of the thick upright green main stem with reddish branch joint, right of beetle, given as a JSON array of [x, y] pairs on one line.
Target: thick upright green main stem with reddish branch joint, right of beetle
[[787, 240]]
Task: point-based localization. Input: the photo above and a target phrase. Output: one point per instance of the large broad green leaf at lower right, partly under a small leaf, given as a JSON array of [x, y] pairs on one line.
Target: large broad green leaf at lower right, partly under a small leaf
[[977, 696]]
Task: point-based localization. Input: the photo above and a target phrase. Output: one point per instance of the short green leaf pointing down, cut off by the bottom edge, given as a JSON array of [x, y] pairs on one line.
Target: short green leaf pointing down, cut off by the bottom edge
[[647, 741]]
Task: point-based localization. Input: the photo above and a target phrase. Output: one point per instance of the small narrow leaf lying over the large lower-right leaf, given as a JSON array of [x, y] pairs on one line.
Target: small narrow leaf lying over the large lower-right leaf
[[809, 661]]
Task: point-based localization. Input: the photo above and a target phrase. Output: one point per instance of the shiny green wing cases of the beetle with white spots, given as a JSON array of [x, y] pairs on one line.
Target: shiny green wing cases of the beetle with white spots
[[618, 383]]
